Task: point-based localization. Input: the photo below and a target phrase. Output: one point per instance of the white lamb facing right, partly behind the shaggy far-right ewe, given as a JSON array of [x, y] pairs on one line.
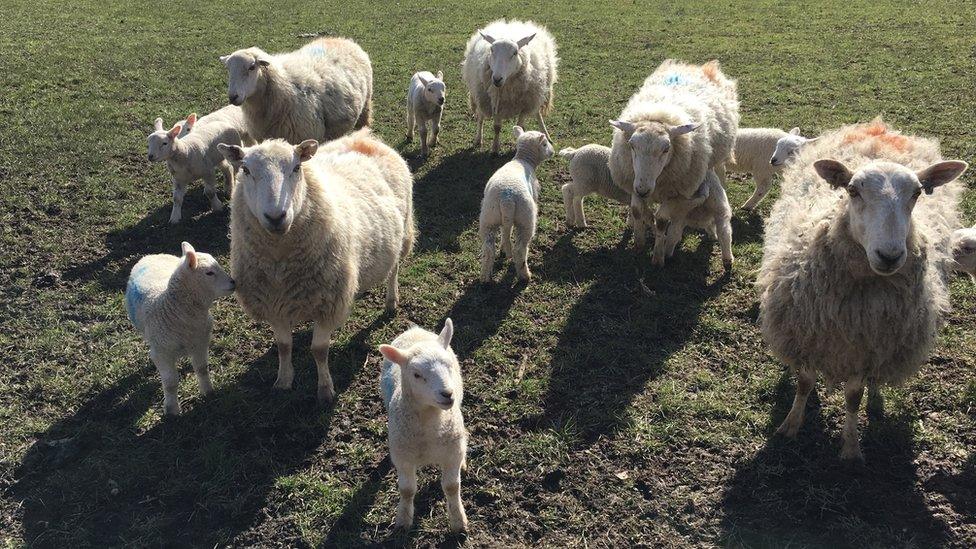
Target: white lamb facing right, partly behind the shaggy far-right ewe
[[763, 152]]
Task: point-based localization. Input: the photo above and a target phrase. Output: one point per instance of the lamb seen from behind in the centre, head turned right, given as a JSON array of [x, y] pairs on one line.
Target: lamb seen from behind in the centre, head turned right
[[511, 201]]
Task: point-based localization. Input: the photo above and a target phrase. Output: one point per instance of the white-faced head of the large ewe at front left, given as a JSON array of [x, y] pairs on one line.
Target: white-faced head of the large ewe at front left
[[271, 178]]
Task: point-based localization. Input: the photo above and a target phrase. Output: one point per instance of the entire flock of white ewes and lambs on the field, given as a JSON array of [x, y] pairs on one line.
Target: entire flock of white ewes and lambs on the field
[[857, 252]]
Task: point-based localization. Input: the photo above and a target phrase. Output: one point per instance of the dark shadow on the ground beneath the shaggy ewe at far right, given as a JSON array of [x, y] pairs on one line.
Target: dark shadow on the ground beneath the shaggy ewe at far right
[[798, 492]]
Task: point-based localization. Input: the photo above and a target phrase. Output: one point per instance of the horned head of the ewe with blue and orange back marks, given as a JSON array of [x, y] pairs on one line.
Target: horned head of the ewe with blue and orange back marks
[[651, 145]]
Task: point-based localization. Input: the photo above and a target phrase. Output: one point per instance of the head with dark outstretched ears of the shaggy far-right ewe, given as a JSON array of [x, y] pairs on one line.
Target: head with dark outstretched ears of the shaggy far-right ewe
[[882, 196]]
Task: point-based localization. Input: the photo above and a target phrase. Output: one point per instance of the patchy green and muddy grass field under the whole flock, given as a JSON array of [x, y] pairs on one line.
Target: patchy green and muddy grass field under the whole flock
[[601, 413]]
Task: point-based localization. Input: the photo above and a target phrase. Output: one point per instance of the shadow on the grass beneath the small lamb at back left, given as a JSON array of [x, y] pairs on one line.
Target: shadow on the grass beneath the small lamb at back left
[[206, 230]]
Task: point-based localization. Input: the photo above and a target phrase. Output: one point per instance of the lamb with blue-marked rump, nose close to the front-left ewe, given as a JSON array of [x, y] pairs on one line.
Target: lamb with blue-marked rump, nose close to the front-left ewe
[[168, 301]]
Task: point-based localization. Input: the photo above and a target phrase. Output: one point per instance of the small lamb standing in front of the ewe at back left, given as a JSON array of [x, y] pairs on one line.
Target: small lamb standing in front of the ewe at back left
[[189, 149]]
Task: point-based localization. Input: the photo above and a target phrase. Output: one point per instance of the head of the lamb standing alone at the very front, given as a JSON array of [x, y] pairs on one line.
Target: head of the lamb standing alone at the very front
[[427, 370]]
